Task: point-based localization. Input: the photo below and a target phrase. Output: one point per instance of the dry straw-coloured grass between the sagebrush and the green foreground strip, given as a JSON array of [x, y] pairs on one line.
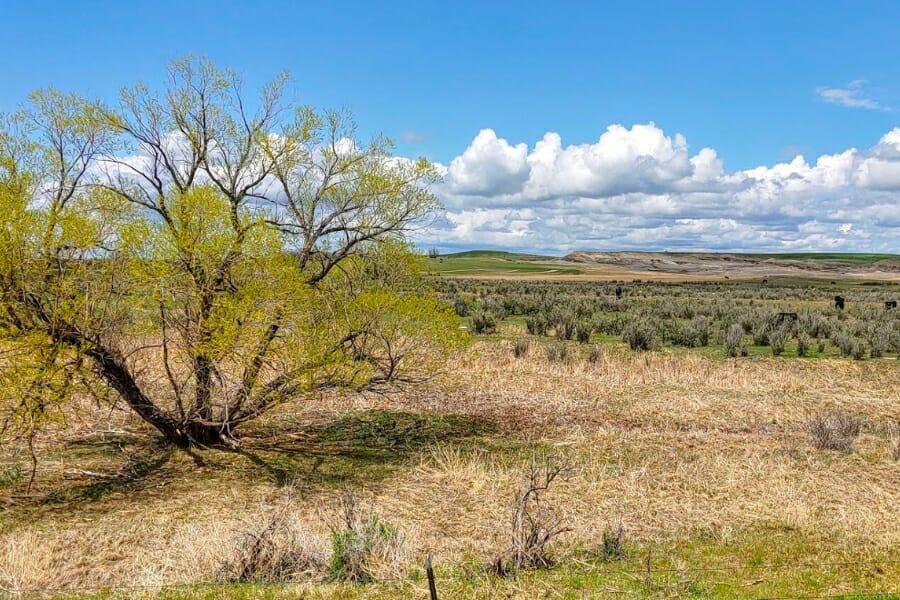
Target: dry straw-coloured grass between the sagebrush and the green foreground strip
[[676, 448]]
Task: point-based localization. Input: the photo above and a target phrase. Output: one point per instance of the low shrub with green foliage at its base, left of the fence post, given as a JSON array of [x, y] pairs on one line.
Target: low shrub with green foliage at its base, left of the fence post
[[362, 544]]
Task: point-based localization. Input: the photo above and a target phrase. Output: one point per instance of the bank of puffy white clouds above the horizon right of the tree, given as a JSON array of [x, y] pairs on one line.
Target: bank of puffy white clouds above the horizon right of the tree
[[641, 188]]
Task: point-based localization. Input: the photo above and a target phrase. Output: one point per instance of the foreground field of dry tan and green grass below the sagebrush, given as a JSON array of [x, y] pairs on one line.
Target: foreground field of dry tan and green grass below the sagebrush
[[681, 475]]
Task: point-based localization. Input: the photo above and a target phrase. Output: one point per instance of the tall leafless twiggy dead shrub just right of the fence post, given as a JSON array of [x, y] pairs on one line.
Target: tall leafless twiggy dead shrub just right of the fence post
[[534, 523]]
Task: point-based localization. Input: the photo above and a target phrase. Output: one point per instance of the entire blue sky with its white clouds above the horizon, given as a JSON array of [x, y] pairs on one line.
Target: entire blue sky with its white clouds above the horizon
[[599, 125]]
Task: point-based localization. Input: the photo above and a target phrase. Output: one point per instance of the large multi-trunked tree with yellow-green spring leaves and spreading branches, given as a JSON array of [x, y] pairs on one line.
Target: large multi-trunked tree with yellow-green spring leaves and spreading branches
[[201, 261]]
